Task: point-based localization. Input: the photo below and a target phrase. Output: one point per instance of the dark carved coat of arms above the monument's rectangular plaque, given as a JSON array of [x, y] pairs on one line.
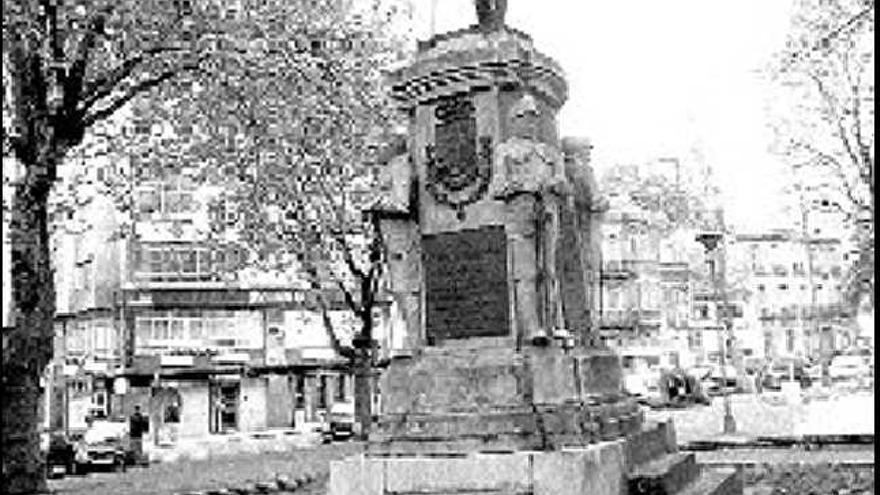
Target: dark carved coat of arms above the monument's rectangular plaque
[[459, 164]]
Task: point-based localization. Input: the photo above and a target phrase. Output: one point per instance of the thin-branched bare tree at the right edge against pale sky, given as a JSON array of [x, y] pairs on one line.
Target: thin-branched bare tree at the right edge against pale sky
[[825, 121]]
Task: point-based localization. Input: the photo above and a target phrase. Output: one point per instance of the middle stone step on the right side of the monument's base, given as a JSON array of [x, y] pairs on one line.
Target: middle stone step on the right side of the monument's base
[[665, 475]]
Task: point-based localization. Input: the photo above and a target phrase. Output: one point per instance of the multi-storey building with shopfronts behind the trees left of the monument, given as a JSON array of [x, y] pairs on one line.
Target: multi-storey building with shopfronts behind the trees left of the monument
[[155, 311]]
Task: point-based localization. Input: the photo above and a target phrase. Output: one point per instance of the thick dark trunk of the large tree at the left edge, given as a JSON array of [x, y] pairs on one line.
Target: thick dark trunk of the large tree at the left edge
[[27, 344]]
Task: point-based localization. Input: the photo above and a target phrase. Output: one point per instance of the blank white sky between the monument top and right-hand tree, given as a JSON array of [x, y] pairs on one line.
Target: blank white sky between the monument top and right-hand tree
[[651, 79]]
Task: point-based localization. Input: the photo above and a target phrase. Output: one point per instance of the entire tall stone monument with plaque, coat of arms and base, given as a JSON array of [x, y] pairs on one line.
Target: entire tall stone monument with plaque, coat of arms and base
[[501, 389]]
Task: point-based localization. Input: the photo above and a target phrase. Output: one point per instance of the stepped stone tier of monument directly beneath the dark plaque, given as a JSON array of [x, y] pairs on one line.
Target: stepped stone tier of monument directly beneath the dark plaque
[[460, 399]]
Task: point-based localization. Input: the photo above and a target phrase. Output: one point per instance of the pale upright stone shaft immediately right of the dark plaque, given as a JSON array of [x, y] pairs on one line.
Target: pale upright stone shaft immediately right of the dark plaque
[[522, 237]]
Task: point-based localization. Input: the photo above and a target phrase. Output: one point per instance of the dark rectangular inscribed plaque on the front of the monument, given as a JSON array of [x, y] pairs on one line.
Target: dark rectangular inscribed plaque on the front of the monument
[[466, 284]]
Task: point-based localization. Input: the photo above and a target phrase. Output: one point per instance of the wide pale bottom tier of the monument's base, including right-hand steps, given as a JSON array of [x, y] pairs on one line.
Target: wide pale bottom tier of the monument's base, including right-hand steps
[[645, 462]]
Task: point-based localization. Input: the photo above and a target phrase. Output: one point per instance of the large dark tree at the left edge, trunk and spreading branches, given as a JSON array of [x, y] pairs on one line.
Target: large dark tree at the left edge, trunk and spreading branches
[[68, 67]]
